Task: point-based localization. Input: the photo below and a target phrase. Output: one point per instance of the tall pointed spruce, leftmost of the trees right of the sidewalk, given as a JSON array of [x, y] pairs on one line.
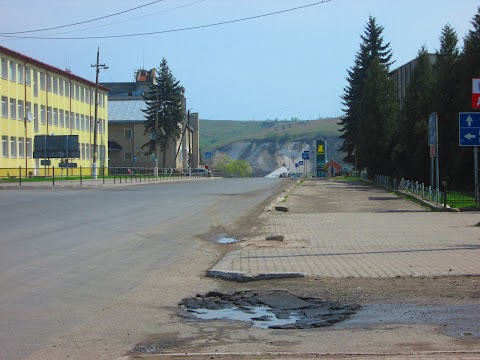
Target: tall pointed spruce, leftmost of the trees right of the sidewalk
[[374, 54]]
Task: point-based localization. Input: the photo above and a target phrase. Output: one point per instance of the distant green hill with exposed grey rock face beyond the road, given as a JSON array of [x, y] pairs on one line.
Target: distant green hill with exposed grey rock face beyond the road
[[222, 136]]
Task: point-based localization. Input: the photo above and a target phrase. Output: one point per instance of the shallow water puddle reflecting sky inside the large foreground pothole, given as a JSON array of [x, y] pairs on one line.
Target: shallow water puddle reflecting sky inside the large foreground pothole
[[260, 317]]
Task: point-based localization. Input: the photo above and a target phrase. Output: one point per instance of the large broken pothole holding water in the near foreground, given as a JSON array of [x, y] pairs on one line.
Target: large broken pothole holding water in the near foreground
[[273, 309]]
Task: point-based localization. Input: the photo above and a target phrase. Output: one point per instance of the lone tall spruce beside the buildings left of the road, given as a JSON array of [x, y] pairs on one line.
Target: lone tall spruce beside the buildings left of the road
[[164, 97]]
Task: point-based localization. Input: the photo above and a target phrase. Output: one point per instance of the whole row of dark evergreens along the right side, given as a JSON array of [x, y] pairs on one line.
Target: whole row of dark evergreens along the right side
[[390, 137]]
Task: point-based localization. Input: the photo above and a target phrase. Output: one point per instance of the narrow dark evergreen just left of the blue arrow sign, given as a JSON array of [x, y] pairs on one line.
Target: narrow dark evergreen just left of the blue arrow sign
[[446, 100]]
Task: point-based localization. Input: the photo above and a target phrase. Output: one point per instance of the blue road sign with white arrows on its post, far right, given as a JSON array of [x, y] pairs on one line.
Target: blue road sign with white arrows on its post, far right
[[469, 135]]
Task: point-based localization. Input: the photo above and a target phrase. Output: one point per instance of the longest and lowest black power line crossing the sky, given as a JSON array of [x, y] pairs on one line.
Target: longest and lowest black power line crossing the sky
[[172, 30]]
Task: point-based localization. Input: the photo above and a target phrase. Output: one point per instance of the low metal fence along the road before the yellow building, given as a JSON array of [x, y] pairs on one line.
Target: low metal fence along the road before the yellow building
[[114, 175]]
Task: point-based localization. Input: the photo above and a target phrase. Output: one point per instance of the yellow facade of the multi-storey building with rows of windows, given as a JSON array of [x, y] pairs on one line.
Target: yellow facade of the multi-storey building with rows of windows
[[17, 90]]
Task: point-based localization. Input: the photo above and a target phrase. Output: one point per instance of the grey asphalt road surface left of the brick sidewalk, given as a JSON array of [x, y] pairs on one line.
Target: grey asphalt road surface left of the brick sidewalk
[[66, 255]]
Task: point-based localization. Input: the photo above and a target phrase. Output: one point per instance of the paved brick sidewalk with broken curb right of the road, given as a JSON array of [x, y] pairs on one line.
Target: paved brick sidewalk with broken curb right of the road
[[390, 237]]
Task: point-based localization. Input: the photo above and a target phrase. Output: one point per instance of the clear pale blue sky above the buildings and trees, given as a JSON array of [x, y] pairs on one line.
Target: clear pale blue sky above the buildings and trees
[[288, 65]]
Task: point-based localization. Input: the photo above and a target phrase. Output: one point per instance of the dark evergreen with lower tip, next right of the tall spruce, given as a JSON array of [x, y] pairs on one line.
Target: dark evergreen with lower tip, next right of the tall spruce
[[411, 153]]
